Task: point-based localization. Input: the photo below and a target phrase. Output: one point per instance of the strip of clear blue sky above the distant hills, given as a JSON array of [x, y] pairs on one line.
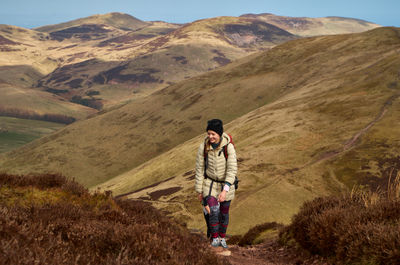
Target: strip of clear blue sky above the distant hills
[[34, 13]]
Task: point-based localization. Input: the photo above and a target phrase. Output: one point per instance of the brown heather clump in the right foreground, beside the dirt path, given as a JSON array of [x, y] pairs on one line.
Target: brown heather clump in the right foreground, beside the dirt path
[[358, 228]]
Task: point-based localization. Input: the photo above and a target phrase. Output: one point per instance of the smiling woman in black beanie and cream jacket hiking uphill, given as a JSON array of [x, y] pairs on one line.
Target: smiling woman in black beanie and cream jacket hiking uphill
[[215, 175]]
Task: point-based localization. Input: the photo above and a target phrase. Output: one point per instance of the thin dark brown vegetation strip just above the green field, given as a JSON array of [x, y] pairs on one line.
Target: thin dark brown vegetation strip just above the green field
[[32, 115]]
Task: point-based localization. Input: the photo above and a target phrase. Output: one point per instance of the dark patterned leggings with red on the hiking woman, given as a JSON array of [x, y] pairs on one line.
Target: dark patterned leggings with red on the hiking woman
[[219, 217]]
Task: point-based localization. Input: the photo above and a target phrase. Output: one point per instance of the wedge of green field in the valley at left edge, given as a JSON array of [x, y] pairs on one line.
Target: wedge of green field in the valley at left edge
[[16, 132]]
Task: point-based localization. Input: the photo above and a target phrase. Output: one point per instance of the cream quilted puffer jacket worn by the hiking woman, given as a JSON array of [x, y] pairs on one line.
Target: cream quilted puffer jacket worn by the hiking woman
[[218, 169]]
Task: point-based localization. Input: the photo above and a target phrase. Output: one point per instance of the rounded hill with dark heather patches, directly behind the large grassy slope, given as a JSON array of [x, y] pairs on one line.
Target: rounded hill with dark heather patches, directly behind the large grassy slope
[[144, 62]]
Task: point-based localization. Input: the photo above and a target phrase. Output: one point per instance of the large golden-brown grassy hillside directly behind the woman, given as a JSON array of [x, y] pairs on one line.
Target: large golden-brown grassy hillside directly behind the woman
[[321, 114]]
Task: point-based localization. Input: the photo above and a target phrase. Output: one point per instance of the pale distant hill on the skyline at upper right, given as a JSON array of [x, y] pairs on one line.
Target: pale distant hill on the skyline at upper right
[[306, 27]]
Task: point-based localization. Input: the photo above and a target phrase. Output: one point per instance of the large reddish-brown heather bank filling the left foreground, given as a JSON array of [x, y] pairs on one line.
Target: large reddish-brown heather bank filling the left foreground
[[91, 229]]
